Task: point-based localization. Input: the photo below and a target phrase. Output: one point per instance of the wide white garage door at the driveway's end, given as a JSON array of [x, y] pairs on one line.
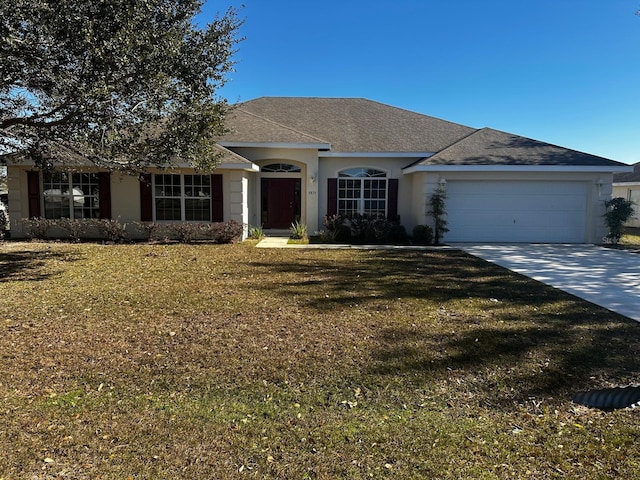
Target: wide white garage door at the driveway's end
[[549, 212]]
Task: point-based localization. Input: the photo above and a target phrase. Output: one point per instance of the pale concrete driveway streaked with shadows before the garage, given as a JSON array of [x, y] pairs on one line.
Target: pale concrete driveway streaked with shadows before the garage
[[607, 277]]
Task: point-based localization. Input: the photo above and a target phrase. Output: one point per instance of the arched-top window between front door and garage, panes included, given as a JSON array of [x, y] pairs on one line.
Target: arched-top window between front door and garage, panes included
[[362, 191]]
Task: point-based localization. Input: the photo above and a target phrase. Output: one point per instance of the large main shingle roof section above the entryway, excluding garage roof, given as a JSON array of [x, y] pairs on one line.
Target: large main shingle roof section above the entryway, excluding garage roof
[[349, 125]]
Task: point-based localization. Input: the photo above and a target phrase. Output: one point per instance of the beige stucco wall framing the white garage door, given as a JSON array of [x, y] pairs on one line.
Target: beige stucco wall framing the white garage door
[[598, 187]]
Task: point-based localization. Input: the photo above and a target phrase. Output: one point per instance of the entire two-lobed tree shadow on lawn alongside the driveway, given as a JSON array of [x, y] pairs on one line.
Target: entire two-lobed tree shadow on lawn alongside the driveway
[[522, 339]]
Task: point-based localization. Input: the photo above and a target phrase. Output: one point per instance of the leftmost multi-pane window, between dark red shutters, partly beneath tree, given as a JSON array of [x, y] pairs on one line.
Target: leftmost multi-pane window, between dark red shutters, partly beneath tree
[[72, 195]]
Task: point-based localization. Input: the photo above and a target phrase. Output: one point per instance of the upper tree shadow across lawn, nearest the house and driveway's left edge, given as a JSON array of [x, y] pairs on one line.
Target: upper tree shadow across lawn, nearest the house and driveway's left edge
[[436, 276]]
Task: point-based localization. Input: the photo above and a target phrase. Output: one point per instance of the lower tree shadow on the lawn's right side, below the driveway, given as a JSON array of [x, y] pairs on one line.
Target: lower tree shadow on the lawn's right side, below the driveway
[[542, 359]]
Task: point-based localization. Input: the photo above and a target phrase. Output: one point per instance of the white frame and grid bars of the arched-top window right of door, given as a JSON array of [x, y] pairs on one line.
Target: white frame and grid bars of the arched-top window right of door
[[362, 176]]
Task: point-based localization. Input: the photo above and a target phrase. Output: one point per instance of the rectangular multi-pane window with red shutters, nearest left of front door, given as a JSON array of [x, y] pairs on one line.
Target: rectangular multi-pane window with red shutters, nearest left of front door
[[185, 198]]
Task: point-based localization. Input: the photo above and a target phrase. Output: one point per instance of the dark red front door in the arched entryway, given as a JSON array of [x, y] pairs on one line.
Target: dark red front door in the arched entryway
[[280, 202]]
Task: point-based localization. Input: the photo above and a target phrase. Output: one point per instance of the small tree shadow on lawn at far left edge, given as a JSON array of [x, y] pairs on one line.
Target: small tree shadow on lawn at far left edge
[[28, 265]]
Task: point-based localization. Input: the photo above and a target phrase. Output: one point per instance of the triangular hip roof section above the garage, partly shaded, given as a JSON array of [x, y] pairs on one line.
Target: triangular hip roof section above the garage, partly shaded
[[492, 147]]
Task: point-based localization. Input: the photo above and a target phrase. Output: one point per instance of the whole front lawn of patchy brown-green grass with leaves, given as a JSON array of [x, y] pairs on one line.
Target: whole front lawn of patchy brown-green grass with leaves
[[212, 362]]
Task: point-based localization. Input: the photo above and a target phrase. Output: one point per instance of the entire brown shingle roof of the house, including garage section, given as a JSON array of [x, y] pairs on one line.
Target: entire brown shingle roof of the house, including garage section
[[357, 125]]
